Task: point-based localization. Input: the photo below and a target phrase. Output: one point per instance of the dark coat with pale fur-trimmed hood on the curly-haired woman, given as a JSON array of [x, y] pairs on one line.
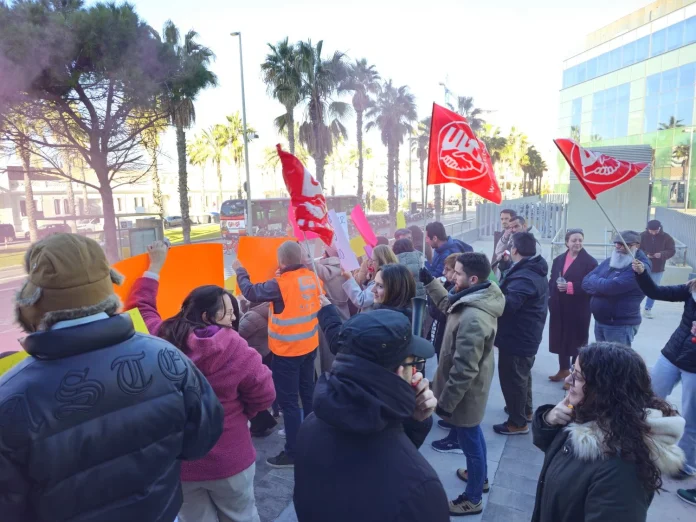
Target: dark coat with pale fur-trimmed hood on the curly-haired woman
[[579, 481]]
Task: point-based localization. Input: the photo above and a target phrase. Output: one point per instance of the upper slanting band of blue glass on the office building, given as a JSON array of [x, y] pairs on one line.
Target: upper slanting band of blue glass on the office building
[[660, 42]]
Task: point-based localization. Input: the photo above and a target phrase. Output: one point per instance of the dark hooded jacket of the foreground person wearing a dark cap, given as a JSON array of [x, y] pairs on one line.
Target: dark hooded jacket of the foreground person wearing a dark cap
[[353, 461]]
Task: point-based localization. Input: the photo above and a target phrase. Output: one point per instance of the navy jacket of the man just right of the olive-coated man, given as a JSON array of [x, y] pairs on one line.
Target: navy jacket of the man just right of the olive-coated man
[[526, 293]]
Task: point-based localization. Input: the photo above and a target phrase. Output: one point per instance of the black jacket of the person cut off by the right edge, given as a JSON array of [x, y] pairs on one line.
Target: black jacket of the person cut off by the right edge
[[680, 350]]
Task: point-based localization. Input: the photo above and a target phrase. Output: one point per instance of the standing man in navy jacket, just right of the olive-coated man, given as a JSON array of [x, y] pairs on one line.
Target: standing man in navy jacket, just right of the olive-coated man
[[520, 330]]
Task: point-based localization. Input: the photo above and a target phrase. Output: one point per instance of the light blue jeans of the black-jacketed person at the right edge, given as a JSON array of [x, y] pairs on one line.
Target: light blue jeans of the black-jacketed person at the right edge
[[665, 376]]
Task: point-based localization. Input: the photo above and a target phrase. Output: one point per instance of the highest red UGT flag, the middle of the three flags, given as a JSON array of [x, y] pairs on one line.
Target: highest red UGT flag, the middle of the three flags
[[457, 156]]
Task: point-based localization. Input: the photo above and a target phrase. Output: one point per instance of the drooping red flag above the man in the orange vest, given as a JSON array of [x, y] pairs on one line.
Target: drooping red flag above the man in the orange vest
[[306, 197]]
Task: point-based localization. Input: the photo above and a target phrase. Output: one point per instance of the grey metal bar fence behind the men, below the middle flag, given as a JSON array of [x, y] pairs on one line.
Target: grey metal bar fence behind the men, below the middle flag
[[548, 217]]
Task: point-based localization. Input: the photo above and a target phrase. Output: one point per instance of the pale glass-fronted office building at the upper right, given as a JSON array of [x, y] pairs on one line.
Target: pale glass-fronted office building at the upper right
[[637, 86]]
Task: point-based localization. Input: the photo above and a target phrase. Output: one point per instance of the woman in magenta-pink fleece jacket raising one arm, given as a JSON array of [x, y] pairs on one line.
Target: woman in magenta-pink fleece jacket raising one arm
[[219, 486]]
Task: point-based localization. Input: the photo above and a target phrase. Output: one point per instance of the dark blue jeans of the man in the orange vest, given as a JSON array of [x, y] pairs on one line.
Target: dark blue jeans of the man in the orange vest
[[293, 376]]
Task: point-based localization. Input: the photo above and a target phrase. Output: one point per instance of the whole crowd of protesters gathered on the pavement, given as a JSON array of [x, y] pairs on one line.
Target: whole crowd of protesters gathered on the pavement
[[102, 423]]
